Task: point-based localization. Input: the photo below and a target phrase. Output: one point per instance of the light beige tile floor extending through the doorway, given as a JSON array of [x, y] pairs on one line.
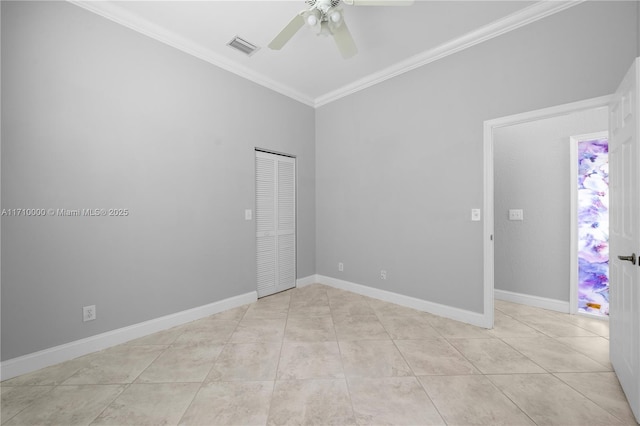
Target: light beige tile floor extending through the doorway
[[318, 355]]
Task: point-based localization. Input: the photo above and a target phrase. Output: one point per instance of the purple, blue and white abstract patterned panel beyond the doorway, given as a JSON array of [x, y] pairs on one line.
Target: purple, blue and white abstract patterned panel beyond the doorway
[[593, 227]]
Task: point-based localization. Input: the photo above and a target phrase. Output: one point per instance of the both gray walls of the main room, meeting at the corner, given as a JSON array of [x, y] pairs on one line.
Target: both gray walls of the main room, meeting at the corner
[[97, 116]]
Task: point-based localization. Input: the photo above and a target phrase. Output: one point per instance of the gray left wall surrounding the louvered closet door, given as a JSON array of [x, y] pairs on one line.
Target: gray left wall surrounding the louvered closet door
[[95, 115]]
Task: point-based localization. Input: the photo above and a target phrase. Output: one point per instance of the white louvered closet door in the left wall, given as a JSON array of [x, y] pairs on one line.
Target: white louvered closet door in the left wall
[[275, 222]]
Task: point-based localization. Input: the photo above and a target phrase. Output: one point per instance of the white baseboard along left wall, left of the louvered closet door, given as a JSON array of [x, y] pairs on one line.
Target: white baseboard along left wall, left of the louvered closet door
[[44, 358]]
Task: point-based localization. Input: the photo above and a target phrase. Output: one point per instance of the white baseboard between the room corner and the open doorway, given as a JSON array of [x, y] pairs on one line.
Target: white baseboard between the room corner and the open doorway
[[469, 317]]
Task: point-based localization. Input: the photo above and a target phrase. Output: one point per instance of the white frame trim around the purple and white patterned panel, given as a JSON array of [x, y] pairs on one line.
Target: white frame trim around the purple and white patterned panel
[[573, 182]]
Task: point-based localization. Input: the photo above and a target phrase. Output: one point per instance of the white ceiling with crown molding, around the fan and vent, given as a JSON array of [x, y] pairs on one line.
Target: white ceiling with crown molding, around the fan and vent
[[390, 40]]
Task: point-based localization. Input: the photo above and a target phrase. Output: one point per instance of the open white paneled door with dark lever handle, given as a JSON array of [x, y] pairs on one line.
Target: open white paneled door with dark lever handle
[[624, 238]]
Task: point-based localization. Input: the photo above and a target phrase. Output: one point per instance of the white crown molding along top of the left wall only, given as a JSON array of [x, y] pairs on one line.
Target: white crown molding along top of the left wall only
[[111, 11]]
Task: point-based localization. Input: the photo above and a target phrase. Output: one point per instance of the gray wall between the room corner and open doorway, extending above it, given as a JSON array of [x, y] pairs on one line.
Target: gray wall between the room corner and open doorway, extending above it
[[399, 165]]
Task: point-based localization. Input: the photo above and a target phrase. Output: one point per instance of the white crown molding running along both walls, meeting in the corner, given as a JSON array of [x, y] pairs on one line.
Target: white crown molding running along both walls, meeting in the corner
[[528, 15]]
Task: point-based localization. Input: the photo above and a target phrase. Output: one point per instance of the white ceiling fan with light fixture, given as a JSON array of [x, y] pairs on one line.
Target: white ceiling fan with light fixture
[[326, 17]]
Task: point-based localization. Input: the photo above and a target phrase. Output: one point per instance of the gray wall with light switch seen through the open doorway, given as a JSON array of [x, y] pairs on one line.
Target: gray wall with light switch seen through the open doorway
[[532, 172]]
